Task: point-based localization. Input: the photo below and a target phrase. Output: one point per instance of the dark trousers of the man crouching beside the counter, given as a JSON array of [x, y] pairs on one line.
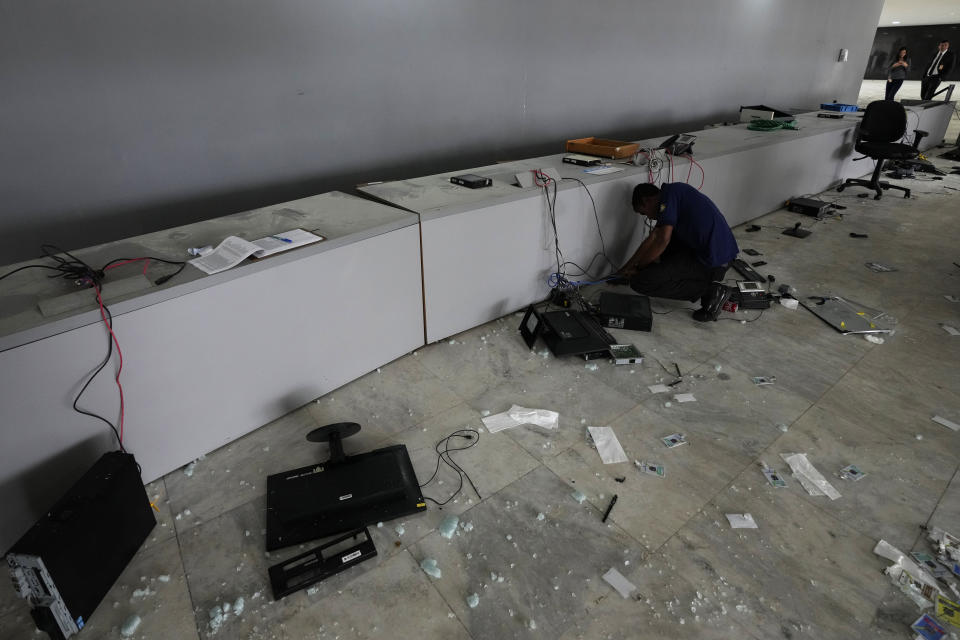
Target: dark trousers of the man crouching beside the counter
[[678, 276]]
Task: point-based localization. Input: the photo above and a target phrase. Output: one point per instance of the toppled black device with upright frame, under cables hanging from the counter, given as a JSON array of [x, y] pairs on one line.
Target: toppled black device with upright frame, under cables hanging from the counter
[[565, 333]]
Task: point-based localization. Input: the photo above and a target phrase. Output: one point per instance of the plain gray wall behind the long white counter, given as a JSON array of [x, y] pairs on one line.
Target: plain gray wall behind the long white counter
[[118, 118]]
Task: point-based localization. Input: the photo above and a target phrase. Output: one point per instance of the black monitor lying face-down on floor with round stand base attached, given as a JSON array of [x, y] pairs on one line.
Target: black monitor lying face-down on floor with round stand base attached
[[343, 494]]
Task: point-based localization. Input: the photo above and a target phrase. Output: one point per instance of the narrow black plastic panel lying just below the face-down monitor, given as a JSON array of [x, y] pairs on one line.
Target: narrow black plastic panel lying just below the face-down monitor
[[321, 562]]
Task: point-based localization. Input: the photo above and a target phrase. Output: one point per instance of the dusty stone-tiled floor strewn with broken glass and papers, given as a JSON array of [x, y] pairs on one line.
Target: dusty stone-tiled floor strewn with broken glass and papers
[[808, 571]]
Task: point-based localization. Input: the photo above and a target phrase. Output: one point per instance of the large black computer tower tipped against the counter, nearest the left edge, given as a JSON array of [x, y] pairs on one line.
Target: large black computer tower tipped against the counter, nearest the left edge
[[67, 562]]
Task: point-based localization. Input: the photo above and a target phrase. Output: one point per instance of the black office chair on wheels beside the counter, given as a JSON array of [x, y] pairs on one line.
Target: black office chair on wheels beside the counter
[[883, 124]]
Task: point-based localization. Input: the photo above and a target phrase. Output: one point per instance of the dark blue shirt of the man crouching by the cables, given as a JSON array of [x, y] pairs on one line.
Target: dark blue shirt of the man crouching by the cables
[[697, 223]]
